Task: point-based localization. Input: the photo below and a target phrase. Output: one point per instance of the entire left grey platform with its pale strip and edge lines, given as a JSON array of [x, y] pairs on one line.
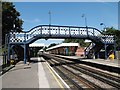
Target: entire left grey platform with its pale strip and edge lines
[[37, 74]]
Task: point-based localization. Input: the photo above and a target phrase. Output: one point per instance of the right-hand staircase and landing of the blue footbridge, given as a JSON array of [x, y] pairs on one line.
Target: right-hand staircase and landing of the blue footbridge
[[93, 50]]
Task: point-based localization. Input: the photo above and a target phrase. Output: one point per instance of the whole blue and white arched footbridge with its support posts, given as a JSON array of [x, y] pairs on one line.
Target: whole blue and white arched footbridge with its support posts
[[99, 39]]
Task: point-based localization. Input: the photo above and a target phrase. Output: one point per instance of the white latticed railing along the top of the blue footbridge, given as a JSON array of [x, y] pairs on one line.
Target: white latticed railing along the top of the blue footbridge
[[54, 31]]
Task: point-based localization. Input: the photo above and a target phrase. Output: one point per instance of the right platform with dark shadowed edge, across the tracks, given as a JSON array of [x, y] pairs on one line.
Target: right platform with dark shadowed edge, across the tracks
[[107, 65]]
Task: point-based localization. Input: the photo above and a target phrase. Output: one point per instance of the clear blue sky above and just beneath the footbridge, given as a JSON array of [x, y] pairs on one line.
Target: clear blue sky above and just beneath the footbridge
[[67, 13]]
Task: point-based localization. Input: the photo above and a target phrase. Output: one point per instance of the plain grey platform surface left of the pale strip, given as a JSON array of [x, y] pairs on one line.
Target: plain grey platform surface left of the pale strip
[[21, 76]]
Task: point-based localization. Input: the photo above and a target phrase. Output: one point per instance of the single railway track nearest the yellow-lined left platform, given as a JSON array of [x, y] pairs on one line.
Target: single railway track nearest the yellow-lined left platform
[[74, 80]]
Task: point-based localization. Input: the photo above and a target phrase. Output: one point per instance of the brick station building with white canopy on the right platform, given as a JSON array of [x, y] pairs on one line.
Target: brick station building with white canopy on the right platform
[[68, 49]]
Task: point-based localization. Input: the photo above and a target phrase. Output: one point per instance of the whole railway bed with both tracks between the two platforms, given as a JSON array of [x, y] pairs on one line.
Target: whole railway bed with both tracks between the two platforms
[[82, 76]]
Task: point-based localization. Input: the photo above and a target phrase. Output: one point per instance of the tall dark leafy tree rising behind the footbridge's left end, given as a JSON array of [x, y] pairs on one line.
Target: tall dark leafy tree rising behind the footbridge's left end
[[10, 19]]
